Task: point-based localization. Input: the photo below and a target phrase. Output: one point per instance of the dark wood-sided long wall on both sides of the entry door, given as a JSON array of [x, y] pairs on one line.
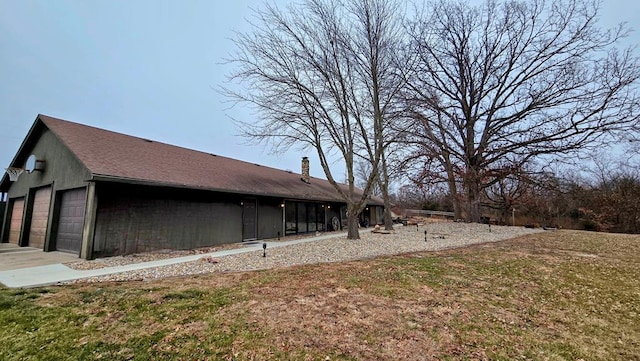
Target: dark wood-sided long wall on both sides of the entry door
[[132, 219]]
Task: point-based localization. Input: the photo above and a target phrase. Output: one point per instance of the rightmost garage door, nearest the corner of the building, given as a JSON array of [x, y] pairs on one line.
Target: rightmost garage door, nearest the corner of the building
[[71, 221]]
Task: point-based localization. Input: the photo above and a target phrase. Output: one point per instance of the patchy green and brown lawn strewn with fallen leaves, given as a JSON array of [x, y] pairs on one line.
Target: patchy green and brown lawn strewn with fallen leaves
[[550, 296]]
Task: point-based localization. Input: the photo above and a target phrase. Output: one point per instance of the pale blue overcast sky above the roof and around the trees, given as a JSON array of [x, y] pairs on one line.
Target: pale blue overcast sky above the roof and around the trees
[[148, 68]]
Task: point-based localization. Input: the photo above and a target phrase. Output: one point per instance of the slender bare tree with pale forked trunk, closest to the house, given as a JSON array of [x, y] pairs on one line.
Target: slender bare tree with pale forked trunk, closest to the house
[[321, 76]]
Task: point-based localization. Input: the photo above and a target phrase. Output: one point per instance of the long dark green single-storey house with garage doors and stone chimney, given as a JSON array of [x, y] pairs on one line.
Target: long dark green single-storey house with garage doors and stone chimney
[[98, 193]]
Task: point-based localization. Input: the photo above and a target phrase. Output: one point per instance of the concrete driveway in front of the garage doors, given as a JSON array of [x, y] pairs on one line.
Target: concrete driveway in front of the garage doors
[[14, 257]]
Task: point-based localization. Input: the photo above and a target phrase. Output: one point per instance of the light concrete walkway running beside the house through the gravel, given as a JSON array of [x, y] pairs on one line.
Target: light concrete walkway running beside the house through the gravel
[[51, 274]]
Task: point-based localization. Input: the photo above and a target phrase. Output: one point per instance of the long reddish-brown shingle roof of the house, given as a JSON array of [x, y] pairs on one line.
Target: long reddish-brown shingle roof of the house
[[114, 156]]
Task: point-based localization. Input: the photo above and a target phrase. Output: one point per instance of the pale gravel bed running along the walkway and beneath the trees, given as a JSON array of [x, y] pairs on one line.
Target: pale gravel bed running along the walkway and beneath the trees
[[408, 239]]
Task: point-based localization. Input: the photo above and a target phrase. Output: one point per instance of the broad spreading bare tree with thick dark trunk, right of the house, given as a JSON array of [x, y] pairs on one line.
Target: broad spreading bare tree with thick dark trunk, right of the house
[[499, 85]]
